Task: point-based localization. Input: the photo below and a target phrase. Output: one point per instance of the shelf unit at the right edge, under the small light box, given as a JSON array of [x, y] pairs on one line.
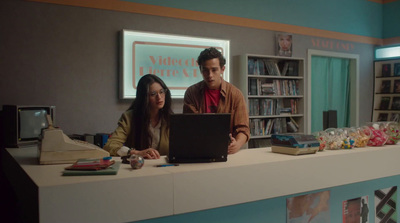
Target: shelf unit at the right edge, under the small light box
[[386, 90]]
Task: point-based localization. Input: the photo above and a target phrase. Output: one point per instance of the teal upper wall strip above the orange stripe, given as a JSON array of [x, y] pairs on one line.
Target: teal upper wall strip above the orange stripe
[[359, 17]]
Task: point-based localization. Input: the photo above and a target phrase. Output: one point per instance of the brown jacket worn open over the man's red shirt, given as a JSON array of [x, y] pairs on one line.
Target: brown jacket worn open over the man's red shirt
[[231, 101]]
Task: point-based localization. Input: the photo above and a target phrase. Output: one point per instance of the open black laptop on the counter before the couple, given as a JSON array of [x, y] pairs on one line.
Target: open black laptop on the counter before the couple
[[199, 138]]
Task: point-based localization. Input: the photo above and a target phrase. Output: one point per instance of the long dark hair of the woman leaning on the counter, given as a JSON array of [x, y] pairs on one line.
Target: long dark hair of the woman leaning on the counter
[[140, 136]]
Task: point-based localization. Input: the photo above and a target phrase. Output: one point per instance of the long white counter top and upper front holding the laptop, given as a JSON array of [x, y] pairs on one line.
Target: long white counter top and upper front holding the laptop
[[250, 175]]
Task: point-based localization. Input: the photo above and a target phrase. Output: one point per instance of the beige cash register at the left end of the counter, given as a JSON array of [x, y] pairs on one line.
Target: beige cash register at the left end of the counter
[[56, 148]]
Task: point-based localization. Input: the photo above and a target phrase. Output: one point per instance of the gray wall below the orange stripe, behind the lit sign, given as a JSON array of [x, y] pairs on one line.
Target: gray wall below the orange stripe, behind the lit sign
[[69, 57]]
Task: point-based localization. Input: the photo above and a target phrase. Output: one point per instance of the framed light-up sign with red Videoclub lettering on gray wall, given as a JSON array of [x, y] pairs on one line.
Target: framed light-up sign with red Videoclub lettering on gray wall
[[170, 57]]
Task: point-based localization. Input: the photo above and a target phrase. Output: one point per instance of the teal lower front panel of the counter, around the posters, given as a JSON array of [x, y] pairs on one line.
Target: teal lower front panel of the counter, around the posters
[[274, 210]]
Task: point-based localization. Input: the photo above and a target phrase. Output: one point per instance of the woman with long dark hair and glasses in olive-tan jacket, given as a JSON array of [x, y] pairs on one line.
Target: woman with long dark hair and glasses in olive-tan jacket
[[144, 128]]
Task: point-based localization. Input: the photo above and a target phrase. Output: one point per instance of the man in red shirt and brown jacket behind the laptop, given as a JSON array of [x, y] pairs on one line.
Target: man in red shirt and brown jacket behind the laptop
[[215, 95]]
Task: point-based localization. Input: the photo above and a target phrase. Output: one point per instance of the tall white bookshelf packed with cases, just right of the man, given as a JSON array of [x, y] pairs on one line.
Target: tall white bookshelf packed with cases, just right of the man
[[273, 87]]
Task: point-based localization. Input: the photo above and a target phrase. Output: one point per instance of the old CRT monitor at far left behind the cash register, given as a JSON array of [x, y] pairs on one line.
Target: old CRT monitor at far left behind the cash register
[[22, 124]]
